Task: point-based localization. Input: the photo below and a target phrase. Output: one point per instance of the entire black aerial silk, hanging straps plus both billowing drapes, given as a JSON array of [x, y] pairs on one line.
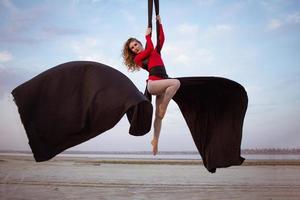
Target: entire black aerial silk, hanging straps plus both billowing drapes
[[73, 102]]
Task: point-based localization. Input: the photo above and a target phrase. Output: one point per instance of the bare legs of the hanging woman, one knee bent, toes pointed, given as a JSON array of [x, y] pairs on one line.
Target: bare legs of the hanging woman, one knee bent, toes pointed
[[164, 91]]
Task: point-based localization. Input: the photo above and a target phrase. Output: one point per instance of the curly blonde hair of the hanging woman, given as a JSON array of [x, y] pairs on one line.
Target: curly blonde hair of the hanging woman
[[128, 55]]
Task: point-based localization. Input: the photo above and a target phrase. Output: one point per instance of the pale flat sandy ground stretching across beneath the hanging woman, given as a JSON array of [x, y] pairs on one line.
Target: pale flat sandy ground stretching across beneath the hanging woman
[[22, 178]]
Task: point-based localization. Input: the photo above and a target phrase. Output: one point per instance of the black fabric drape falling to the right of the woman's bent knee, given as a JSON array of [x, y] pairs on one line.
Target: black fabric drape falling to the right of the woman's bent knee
[[214, 109]]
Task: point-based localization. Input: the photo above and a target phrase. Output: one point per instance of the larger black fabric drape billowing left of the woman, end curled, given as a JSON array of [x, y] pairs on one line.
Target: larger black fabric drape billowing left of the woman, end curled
[[76, 101]]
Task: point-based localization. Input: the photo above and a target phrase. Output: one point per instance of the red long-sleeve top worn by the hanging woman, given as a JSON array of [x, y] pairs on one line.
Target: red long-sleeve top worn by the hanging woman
[[154, 58]]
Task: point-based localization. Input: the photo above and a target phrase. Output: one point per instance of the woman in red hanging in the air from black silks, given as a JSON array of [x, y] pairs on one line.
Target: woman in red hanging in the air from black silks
[[158, 84]]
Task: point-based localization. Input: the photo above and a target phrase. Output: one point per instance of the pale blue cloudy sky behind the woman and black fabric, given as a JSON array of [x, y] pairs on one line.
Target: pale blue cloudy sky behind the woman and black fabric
[[253, 42]]
